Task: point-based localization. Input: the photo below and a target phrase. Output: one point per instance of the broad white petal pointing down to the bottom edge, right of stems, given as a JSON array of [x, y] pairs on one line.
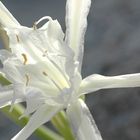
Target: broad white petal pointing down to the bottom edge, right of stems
[[82, 123]]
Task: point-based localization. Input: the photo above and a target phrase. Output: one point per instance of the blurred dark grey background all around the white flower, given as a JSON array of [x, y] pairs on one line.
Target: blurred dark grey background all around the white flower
[[112, 47]]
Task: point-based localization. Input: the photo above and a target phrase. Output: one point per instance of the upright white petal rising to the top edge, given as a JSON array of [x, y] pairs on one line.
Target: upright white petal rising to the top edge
[[76, 23]]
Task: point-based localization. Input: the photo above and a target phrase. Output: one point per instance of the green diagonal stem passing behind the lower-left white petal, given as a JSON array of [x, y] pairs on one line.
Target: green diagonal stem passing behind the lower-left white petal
[[43, 132]]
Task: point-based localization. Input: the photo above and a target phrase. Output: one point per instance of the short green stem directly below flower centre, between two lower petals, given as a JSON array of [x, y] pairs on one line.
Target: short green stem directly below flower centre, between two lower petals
[[61, 122]]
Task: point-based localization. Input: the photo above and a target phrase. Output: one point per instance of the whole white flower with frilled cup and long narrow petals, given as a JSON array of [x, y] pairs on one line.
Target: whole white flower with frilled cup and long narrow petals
[[44, 67]]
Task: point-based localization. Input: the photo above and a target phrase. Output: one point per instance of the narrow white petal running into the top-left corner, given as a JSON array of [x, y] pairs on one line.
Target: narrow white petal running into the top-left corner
[[6, 18]]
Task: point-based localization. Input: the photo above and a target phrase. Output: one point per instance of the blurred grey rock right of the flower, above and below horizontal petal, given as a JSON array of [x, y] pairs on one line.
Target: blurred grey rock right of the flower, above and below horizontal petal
[[114, 48]]
